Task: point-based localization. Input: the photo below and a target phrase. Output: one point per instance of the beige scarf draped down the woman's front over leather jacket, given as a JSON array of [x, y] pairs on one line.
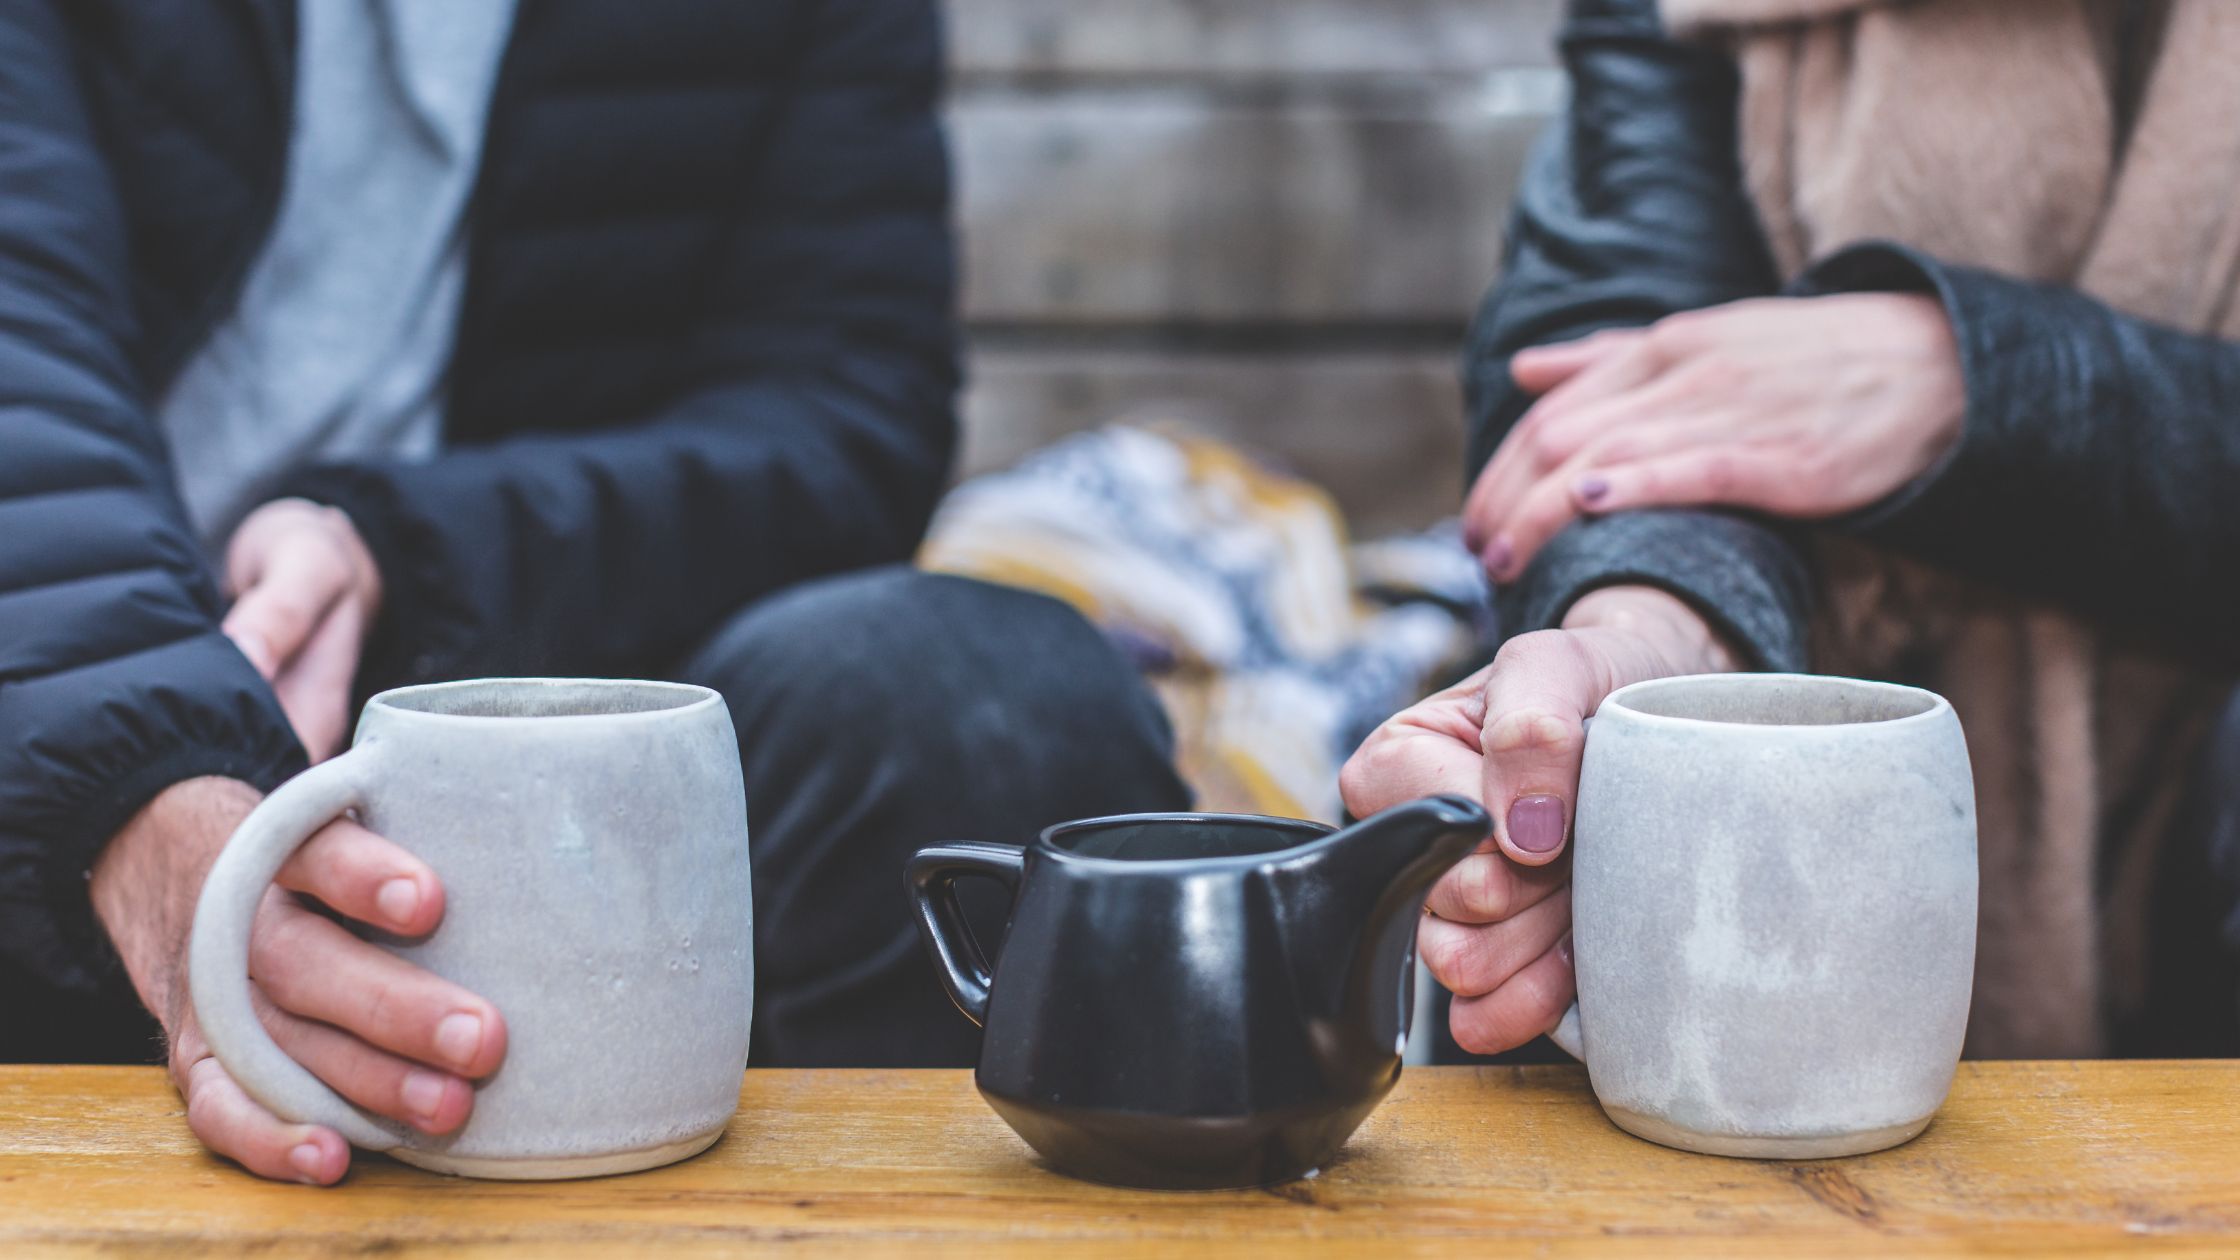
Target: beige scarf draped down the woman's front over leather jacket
[[2031, 138]]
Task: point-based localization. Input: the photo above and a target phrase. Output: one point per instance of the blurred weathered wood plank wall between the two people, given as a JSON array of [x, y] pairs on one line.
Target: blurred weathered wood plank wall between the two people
[[1267, 216]]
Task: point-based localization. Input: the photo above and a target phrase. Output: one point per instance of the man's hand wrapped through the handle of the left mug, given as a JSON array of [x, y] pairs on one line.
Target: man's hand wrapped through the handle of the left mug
[[382, 1032]]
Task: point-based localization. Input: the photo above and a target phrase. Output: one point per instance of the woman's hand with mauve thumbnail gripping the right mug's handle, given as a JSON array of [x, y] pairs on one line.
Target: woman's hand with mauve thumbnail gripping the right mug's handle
[[1497, 927]]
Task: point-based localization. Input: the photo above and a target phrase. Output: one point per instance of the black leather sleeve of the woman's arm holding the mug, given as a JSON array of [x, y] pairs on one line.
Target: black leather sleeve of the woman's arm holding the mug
[[1634, 210]]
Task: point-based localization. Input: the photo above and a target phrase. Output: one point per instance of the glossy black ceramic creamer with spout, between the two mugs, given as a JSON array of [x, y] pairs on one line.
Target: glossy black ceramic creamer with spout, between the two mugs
[[1195, 1001]]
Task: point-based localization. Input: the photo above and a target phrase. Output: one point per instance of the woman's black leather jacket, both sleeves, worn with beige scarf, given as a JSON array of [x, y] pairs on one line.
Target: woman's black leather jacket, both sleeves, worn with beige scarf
[[2098, 458]]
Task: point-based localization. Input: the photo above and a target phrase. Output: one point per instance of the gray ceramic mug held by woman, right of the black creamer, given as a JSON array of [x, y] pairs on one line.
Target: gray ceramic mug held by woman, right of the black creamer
[[1773, 914]]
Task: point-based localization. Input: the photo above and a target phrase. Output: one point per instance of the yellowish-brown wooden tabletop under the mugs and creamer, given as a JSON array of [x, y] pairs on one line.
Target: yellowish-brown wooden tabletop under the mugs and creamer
[[2026, 1160]]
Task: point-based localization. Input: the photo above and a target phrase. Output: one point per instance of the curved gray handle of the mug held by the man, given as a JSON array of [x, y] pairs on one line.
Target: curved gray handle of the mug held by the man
[[218, 952]]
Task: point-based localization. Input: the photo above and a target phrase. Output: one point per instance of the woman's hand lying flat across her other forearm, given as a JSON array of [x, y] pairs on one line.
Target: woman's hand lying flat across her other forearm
[[1795, 407]]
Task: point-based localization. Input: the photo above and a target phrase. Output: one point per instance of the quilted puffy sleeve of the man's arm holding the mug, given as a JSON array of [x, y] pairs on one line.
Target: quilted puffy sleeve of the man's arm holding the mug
[[113, 676]]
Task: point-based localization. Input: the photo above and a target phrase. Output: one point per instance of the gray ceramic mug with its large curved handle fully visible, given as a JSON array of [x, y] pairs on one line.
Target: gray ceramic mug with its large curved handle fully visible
[[592, 846]]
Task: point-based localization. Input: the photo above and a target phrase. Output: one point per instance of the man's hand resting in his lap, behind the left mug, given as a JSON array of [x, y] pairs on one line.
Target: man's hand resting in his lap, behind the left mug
[[306, 593]]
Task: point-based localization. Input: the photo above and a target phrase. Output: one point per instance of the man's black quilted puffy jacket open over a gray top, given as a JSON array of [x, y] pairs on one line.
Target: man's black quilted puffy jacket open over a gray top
[[704, 351]]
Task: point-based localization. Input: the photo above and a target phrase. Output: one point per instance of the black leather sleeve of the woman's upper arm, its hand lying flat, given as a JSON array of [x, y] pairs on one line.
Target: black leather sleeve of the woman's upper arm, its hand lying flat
[[2100, 456]]
